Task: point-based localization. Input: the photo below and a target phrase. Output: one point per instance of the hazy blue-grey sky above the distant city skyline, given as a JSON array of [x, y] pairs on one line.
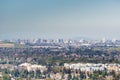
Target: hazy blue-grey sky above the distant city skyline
[[59, 19]]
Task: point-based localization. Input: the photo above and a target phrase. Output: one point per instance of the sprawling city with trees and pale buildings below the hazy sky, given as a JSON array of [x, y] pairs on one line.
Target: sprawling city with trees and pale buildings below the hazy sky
[[59, 59]]
